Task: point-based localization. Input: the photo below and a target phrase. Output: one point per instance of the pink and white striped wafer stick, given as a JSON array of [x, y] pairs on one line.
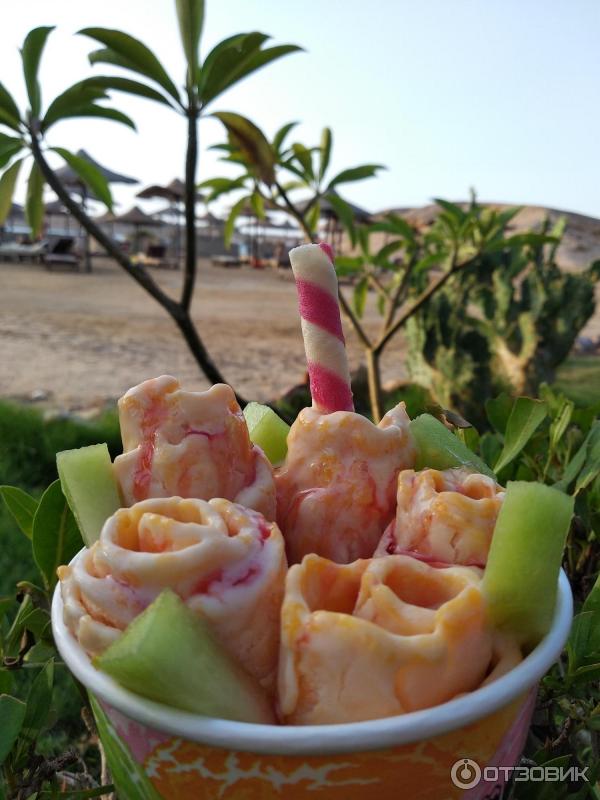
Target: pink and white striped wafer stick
[[326, 357]]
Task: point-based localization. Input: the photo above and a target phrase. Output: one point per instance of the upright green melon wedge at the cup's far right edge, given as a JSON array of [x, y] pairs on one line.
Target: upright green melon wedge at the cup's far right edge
[[521, 576]]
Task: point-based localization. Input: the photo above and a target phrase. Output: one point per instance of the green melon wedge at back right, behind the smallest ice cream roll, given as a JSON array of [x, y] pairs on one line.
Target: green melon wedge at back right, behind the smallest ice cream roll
[[439, 448]]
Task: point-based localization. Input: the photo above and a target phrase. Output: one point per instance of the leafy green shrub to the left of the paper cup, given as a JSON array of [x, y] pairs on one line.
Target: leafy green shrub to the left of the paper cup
[[29, 661]]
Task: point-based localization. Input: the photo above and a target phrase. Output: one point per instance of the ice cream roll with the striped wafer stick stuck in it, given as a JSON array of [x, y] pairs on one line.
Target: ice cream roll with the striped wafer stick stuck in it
[[336, 491]]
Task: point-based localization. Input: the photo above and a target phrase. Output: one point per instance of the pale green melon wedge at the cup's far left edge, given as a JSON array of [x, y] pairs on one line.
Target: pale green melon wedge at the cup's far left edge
[[88, 483]]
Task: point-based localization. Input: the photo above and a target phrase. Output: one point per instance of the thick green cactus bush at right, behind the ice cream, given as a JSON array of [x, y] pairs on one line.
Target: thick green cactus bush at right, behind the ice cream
[[507, 322]]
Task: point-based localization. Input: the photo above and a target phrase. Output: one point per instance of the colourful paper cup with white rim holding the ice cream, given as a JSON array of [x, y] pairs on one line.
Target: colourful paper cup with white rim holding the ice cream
[[437, 753]]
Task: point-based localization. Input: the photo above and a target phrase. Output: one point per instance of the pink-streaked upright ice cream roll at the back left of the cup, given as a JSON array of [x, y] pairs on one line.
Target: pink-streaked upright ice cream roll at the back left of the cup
[[190, 444]]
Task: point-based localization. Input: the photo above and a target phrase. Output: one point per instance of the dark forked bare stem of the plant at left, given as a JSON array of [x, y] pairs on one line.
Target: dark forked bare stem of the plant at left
[[179, 312]]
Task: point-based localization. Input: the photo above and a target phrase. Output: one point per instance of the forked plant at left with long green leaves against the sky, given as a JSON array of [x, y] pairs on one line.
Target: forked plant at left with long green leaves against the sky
[[206, 80]]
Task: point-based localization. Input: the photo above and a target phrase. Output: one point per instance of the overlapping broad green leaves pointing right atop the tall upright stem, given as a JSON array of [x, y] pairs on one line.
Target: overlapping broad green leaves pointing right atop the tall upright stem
[[234, 59]]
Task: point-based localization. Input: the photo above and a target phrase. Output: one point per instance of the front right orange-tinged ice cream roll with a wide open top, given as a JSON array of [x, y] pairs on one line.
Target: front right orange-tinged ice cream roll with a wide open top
[[381, 637]]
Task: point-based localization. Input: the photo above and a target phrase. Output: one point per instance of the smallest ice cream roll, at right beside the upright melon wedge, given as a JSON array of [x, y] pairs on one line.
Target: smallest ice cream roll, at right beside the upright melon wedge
[[447, 517]]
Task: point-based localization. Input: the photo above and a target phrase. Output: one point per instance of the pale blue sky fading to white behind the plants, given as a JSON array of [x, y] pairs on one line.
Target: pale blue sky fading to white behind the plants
[[499, 95]]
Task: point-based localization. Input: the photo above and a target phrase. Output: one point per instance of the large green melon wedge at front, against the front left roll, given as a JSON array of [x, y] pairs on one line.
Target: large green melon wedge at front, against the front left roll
[[169, 655]]
